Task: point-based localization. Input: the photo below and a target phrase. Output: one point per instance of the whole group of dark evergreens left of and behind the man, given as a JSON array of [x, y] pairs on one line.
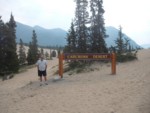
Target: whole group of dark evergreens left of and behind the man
[[10, 61]]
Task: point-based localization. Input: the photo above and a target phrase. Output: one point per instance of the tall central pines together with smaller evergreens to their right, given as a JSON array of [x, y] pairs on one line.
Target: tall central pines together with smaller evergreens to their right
[[87, 32]]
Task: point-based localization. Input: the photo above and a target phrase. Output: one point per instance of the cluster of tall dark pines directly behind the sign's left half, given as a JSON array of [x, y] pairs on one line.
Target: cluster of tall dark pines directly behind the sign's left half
[[87, 31]]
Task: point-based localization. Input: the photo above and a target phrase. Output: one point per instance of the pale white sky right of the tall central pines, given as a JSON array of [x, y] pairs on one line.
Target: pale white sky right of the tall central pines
[[132, 15]]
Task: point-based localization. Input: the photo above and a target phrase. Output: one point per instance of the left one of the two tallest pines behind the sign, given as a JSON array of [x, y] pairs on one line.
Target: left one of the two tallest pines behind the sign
[[81, 19]]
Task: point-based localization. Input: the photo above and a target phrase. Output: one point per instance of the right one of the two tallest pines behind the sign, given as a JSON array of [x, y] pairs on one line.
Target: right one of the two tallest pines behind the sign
[[98, 44]]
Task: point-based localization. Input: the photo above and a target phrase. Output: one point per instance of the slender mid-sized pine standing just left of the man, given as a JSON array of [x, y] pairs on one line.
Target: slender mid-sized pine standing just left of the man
[[33, 52]]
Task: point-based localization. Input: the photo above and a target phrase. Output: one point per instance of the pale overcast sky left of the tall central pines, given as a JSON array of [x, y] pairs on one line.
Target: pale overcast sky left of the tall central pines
[[46, 13]]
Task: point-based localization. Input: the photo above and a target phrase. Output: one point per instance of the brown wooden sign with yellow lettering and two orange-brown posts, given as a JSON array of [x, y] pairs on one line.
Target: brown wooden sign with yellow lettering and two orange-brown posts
[[87, 56]]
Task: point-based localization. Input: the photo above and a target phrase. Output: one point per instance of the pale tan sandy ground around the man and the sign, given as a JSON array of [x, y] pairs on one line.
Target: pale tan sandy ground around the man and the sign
[[91, 92]]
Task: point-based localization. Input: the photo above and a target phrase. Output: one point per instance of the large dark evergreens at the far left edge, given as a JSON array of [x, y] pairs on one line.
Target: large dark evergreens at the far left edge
[[9, 62]]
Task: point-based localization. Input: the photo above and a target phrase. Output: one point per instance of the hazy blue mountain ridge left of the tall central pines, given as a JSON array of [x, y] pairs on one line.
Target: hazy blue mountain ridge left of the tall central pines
[[45, 37]]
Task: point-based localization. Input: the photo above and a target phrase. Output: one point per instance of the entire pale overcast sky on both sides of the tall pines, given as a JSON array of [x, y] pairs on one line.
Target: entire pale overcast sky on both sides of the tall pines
[[132, 15]]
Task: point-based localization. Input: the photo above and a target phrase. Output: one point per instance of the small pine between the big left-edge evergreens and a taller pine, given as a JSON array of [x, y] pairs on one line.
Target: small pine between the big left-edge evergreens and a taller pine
[[22, 54]]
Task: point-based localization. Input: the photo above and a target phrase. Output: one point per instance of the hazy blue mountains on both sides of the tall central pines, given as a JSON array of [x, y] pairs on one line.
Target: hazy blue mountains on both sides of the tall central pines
[[53, 37]]
